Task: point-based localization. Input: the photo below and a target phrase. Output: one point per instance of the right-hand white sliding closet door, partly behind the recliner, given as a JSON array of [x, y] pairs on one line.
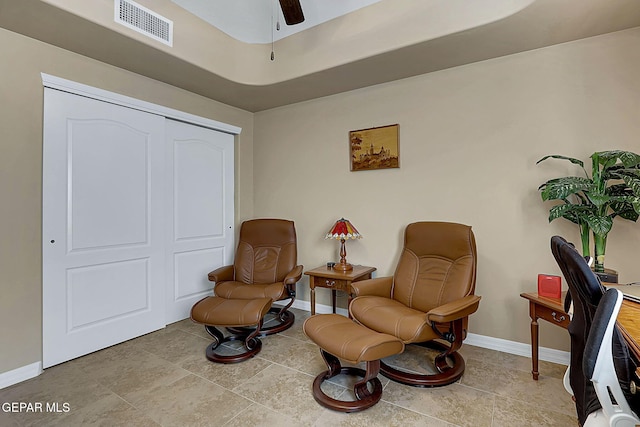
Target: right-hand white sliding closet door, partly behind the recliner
[[200, 198]]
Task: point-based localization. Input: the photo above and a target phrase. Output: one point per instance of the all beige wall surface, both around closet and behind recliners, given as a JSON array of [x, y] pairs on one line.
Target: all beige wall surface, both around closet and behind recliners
[[469, 140]]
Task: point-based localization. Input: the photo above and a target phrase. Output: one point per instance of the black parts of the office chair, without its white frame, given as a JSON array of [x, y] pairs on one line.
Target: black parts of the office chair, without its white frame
[[586, 291]]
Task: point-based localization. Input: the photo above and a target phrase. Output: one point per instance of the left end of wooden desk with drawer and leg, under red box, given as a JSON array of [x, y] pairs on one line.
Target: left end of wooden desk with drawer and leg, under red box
[[549, 309]]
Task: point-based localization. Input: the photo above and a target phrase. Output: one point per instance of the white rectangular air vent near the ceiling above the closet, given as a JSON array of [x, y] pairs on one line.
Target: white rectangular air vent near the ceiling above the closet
[[140, 19]]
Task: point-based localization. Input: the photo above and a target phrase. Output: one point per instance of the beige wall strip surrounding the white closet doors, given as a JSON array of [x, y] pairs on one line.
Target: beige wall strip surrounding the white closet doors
[[21, 96]]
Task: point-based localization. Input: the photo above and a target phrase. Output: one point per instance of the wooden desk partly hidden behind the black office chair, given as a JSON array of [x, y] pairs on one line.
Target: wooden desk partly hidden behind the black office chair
[[552, 310]]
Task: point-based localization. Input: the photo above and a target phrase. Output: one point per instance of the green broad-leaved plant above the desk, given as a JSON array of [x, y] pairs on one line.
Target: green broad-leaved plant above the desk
[[593, 201]]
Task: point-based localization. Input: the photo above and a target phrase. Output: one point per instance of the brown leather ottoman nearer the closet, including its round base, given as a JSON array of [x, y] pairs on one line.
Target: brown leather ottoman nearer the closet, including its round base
[[215, 311]]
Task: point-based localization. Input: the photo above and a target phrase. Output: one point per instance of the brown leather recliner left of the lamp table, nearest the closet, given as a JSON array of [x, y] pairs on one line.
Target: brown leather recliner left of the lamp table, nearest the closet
[[264, 266]]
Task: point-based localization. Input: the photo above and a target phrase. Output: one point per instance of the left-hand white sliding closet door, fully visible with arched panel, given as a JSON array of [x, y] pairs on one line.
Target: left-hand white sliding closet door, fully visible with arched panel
[[103, 225]]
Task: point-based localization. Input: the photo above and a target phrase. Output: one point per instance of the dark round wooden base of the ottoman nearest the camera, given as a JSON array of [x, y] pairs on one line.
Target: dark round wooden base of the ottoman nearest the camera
[[365, 398]]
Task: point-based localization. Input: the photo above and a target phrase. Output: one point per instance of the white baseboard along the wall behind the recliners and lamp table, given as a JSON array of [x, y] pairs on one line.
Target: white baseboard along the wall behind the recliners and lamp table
[[498, 344]]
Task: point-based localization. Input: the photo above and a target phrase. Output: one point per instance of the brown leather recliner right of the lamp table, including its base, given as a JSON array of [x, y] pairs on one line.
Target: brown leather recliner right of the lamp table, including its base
[[427, 301]]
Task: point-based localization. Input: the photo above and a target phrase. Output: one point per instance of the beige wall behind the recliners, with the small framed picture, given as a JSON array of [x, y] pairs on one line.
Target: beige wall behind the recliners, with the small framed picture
[[469, 140]]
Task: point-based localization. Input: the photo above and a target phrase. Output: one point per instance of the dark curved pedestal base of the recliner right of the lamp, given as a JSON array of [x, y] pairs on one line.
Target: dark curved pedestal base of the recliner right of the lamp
[[447, 374]]
